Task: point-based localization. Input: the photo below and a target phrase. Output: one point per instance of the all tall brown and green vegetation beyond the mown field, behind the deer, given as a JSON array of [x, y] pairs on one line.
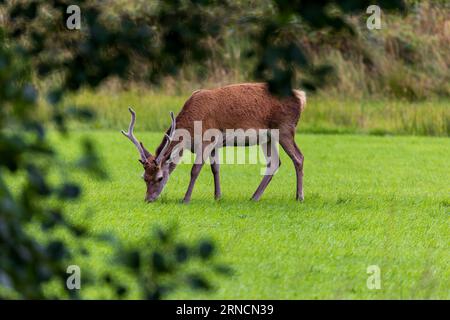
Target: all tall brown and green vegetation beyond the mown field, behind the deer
[[389, 81]]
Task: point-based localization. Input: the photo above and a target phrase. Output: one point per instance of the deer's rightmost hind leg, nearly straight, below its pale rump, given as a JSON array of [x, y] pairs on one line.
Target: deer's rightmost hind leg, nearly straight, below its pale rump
[[290, 147]]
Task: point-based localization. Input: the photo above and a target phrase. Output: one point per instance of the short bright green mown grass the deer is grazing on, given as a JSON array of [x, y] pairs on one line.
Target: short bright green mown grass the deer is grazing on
[[369, 200]]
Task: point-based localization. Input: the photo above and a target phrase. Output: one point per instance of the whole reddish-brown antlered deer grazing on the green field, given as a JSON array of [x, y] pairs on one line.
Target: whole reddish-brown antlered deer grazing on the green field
[[244, 106]]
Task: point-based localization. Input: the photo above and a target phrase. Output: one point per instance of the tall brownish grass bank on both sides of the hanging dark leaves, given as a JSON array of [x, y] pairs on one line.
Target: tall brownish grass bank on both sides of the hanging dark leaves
[[407, 58]]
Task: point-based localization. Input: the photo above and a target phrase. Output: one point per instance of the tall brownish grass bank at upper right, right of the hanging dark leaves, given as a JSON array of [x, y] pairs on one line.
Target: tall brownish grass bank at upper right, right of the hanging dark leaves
[[406, 58]]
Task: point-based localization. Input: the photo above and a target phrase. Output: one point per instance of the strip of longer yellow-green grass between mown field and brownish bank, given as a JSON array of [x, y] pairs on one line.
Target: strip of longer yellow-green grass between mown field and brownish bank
[[322, 114]]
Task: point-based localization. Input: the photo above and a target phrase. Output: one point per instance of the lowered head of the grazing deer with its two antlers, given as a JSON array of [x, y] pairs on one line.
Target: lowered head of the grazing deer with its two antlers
[[156, 168]]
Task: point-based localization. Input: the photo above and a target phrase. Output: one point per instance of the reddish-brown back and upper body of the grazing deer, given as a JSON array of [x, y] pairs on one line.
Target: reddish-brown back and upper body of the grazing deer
[[242, 106]]
